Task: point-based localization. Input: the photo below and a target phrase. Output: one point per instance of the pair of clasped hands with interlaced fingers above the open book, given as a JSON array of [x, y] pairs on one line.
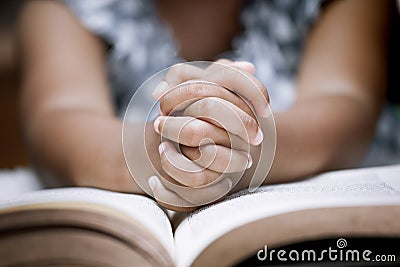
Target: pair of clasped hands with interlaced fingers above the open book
[[214, 131]]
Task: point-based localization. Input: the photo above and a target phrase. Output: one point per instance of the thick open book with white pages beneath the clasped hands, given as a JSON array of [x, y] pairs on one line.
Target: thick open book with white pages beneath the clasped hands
[[83, 226]]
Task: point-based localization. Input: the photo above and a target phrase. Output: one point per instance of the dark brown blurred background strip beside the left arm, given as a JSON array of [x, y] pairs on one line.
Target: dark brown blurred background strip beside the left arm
[[11, 146]]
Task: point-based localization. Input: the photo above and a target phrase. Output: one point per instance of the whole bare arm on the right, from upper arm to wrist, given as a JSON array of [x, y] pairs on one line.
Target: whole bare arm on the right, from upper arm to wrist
[[341, 89]]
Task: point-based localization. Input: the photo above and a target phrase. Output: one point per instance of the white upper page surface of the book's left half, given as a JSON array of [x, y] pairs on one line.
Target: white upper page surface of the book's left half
[[141, 209]]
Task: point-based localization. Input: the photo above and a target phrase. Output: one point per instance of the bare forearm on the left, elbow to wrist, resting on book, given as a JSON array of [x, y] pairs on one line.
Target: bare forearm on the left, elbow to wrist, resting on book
[[80, 148]]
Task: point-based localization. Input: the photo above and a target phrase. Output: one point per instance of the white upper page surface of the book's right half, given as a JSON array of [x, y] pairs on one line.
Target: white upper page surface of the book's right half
[[359, 187]]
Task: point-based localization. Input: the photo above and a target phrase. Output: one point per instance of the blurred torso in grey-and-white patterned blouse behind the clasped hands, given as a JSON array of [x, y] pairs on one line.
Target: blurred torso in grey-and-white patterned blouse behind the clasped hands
[[268, 33]]
